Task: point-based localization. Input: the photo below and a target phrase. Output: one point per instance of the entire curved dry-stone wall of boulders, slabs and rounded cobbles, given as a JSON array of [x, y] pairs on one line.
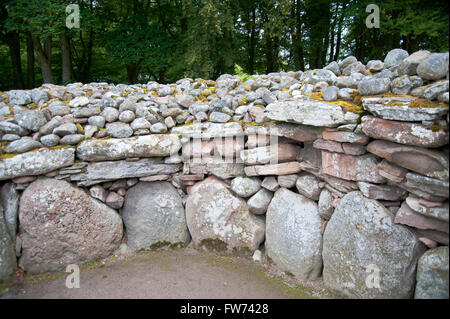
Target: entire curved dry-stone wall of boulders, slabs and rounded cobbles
[[355, 192]]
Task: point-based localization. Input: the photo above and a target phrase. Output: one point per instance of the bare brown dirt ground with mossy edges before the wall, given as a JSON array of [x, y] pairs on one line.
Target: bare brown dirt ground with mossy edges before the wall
[[182, 273]]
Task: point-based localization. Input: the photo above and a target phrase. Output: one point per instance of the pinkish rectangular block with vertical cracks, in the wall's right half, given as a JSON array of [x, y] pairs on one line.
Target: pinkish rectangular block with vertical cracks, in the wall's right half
[[354, 168]]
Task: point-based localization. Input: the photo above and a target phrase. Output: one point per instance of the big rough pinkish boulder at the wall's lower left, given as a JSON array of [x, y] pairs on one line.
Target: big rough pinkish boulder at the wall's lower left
[[60, 225]]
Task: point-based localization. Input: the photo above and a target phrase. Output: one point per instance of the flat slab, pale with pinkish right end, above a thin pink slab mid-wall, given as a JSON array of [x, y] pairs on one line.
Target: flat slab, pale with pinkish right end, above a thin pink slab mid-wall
[[270, 154]]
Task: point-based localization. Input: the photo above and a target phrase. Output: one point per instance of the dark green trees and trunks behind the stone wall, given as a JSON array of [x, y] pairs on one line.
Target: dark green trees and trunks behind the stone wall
[[164, 40]]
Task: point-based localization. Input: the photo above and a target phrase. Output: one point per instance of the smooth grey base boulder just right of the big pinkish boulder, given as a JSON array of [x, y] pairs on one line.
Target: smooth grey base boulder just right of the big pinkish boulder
[[154, 214]]
